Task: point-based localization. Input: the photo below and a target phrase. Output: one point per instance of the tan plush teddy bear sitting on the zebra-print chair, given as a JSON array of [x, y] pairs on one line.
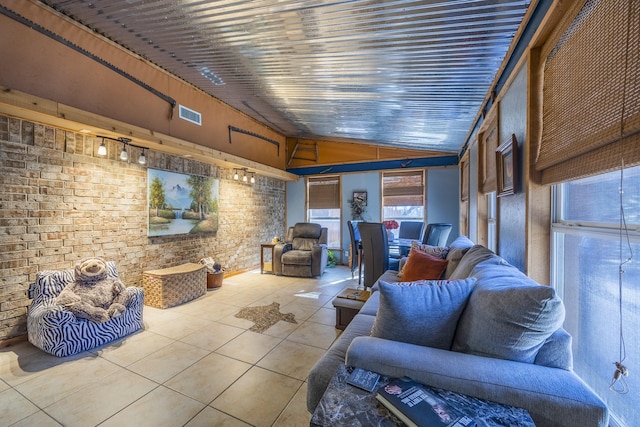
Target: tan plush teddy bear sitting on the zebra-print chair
[[93, 295]]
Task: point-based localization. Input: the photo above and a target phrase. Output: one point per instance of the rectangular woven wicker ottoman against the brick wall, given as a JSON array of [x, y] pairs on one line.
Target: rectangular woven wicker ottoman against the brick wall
[[172, 286]]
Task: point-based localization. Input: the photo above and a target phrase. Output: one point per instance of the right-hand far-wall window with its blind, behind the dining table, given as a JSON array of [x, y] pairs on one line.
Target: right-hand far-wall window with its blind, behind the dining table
[[403, 196]]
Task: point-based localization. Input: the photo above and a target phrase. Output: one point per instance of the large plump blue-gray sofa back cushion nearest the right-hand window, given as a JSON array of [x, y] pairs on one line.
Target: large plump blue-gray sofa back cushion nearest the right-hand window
[[508, 316]]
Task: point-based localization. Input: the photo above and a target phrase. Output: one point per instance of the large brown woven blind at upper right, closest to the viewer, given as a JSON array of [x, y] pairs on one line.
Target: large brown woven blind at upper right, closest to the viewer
[[591, 94]]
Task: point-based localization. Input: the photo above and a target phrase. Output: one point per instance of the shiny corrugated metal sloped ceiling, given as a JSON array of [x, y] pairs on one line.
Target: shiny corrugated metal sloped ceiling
[[396, 73]]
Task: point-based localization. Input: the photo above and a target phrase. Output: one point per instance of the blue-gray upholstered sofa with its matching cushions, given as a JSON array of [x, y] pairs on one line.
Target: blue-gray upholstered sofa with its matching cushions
[[489, 331]]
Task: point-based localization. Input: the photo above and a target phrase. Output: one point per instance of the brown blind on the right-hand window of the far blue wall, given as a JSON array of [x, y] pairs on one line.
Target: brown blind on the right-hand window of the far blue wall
[[405, 188]]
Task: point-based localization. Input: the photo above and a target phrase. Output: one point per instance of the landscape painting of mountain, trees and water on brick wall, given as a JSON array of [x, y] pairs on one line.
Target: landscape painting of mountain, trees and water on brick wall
[[181, 204]]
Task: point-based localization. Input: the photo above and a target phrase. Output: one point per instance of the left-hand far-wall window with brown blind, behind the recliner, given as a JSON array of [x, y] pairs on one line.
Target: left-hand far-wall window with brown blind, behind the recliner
[[324, 206]]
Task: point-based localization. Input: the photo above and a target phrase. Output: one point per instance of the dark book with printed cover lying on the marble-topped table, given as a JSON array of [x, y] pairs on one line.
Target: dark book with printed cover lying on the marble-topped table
[[418, 405]]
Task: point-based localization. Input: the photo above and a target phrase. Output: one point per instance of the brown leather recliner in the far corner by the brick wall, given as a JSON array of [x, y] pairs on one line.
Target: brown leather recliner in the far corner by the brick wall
[[304, 252]]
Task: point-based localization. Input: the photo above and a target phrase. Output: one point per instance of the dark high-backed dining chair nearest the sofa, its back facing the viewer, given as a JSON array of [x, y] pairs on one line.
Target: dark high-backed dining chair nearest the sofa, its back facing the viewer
[[375, 252]]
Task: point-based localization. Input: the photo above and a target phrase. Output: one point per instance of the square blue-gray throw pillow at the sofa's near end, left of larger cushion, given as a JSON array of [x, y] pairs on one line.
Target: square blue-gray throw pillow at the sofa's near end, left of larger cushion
[[424, 313]]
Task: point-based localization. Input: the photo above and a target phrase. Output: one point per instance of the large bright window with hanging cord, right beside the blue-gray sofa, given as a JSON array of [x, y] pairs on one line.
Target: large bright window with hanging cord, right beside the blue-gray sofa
[[587, 248]]
